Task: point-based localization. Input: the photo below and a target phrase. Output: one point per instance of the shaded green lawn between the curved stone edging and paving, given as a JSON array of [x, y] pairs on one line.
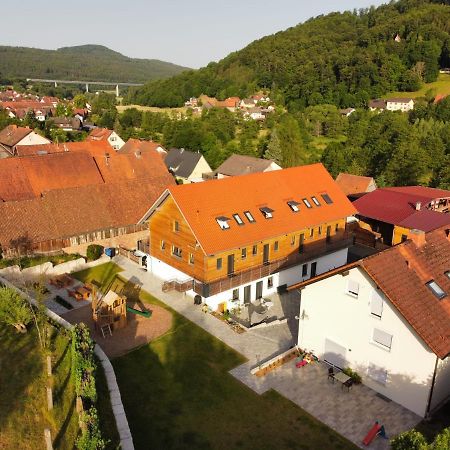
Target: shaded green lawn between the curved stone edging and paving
[[178, 394]]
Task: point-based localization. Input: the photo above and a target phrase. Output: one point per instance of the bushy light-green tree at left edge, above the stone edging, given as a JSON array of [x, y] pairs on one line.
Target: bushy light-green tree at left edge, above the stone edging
[[14, 309]]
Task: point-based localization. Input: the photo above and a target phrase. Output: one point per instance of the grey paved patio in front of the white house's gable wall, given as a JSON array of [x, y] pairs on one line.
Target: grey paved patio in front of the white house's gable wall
[[351, 413]]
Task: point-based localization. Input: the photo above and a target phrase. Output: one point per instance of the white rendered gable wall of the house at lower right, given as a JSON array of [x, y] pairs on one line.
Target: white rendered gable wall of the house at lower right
[[328, 311]]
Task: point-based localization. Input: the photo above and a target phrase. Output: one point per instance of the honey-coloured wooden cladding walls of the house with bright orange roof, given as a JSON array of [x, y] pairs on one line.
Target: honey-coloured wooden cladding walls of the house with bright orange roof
[[170, 234]]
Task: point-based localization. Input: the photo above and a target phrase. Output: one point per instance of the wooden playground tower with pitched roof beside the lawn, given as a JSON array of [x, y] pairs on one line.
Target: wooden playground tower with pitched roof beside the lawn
[[109, 311]]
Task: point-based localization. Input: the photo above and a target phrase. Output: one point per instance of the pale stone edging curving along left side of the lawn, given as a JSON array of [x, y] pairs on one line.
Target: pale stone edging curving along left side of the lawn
[[126, 440]]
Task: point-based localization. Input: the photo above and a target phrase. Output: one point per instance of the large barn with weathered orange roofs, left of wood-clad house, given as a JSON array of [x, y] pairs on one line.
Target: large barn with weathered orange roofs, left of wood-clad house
[[66, 200]]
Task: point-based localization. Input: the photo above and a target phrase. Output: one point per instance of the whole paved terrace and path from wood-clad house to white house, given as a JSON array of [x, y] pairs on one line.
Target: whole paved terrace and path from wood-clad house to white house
[[351, 413]]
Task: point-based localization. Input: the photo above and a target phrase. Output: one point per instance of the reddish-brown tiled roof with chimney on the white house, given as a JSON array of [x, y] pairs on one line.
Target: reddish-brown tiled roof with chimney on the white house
[[402, 271]]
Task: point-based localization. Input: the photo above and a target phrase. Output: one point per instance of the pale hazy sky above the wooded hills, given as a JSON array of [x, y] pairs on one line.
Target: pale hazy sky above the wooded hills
[[190, 33]]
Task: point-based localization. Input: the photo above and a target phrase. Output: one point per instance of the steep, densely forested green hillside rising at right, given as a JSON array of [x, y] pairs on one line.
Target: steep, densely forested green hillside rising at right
[[342, 59]]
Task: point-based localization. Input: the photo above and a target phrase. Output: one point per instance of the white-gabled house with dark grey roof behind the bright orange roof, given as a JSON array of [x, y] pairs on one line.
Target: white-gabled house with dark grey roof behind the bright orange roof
[[186, 166]]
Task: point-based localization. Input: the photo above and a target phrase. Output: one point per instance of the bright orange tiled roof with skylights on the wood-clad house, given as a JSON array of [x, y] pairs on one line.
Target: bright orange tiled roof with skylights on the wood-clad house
[[202, 203]]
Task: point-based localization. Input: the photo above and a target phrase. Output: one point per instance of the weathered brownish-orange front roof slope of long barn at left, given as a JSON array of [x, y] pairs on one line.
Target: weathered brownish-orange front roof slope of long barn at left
[[73, 211]]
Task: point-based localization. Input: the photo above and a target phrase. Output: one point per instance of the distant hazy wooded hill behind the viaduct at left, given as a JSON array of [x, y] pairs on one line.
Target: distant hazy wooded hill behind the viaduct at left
[[84, 62]]
